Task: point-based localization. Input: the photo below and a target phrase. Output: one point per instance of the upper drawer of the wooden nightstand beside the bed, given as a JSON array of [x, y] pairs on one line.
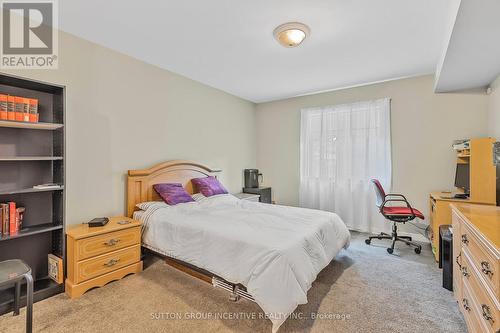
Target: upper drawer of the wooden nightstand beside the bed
[[100, 244]]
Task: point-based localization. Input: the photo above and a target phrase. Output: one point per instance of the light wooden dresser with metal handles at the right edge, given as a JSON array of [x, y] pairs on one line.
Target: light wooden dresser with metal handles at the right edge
[[476, 271]]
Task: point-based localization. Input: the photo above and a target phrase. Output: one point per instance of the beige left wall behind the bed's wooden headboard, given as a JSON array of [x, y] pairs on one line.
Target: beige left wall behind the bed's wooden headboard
[[125, 114]]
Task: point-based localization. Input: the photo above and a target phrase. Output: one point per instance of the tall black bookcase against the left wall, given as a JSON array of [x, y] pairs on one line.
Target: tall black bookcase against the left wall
[[33, 154]]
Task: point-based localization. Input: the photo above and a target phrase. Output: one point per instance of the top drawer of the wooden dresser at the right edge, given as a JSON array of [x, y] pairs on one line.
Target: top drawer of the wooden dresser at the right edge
[[481, 258]]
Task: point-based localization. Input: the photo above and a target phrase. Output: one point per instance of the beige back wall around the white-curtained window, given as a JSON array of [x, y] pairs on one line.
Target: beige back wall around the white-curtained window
[[423, 124]]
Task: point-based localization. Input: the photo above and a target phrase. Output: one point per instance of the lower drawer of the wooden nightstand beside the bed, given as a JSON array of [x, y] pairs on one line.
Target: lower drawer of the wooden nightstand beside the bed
[[90, 268]]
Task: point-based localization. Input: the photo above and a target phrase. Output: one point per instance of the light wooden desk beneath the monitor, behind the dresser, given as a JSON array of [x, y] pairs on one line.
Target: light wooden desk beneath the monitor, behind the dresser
[[440, 214]]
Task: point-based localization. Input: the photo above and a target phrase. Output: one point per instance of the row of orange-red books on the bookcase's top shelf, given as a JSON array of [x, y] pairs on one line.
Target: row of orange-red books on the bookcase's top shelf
[[18, 108]]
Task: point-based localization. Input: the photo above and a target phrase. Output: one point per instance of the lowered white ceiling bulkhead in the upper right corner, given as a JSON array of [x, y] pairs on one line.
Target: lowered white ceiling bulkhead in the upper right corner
[[472, 57]]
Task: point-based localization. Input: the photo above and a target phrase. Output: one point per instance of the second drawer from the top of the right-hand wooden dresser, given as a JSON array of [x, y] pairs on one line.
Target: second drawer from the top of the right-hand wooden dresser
[[486, 307]]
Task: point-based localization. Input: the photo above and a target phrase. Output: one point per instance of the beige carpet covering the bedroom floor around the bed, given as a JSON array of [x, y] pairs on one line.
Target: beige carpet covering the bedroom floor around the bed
[[363, 290]]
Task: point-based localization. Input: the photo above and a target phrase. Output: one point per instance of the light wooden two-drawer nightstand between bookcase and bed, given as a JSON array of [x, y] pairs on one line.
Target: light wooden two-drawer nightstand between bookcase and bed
[[96, 256]]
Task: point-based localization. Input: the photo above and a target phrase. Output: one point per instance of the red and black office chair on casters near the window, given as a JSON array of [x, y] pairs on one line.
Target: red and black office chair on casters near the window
[[396, 214]]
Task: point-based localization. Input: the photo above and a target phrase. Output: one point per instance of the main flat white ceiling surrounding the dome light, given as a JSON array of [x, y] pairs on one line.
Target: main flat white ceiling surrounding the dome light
[[228, 44]]
